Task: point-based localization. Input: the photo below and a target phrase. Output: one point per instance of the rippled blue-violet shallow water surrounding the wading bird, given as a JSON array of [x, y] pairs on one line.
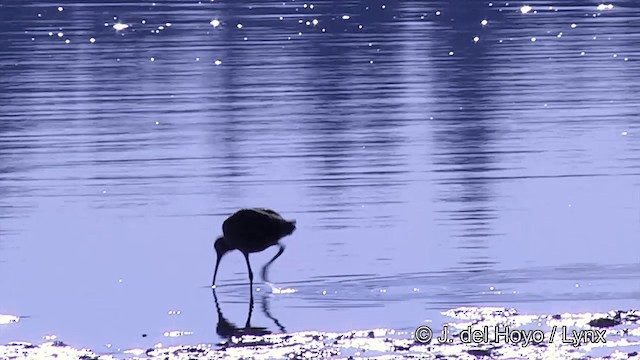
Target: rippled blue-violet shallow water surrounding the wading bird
[[426, 171]]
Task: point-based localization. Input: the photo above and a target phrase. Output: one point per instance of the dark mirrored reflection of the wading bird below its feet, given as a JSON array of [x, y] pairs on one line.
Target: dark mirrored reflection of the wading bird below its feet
[[227, 329]]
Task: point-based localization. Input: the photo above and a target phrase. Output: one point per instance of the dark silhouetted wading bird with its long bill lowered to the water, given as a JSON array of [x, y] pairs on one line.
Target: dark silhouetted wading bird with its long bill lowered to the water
[[251, 231]]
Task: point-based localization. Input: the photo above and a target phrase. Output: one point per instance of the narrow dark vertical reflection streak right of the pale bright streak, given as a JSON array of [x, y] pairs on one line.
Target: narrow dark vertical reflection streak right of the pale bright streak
[[465, 134]]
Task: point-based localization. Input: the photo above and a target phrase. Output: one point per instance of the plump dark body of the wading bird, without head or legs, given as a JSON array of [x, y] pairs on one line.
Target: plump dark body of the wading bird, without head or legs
[[253, 230]]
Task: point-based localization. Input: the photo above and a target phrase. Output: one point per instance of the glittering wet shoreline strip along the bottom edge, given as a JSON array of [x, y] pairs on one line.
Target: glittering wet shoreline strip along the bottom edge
[[497, 333]]
